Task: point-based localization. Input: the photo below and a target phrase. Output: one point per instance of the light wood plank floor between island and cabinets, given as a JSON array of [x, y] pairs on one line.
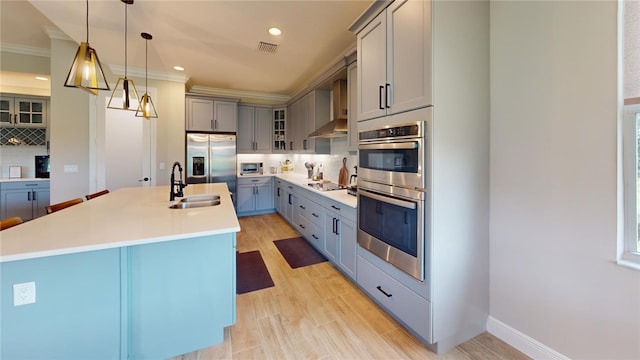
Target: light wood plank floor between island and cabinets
[[314, 312]]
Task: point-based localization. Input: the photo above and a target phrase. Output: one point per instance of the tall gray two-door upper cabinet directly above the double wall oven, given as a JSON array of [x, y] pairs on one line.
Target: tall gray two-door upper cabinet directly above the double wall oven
[[394, 60]]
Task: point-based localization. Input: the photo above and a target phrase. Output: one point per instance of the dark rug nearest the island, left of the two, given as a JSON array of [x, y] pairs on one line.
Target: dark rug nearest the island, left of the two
[[251, 272]]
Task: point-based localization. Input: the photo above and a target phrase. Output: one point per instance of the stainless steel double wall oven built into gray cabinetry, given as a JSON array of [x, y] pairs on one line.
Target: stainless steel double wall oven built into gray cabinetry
[[392, 193]]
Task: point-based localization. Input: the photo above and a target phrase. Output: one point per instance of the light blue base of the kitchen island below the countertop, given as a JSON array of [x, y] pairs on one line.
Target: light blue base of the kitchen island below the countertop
[[149, 301]]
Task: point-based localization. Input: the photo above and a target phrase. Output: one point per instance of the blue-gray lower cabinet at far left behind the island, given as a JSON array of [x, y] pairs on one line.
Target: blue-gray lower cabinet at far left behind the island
[[26, 199]]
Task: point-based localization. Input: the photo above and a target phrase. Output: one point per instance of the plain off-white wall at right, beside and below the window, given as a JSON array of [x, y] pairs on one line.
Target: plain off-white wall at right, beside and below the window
[[553, 180]]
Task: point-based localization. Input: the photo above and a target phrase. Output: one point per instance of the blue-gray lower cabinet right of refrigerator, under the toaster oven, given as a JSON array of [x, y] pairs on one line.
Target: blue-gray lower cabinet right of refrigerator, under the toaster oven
[[254, 195]]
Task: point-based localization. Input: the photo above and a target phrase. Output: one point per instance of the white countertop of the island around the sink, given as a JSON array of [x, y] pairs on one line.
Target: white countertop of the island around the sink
[[125, 217]]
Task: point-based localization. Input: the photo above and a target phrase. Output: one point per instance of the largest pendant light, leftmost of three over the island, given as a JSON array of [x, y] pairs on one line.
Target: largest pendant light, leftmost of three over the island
[[86, 71]]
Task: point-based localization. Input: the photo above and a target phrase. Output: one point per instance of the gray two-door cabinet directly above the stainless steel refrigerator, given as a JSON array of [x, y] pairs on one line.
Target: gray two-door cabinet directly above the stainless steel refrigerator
[[208, 114]]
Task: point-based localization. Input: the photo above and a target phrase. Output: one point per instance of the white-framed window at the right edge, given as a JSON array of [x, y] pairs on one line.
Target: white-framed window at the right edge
[[629, 251]]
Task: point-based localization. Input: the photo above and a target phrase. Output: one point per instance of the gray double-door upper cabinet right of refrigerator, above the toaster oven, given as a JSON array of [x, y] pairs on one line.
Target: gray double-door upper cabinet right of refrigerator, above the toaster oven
[[254, 129]]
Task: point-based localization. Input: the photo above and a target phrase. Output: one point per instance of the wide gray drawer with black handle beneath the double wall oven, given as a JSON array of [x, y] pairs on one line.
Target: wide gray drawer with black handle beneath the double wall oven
[[407, 306]]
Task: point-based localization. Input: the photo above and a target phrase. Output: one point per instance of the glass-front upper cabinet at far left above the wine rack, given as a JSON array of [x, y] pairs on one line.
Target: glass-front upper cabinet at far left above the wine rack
[[20, 111]]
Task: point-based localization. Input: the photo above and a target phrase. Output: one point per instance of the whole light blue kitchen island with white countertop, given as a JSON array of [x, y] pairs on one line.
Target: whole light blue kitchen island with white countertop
[[121, 276]]
